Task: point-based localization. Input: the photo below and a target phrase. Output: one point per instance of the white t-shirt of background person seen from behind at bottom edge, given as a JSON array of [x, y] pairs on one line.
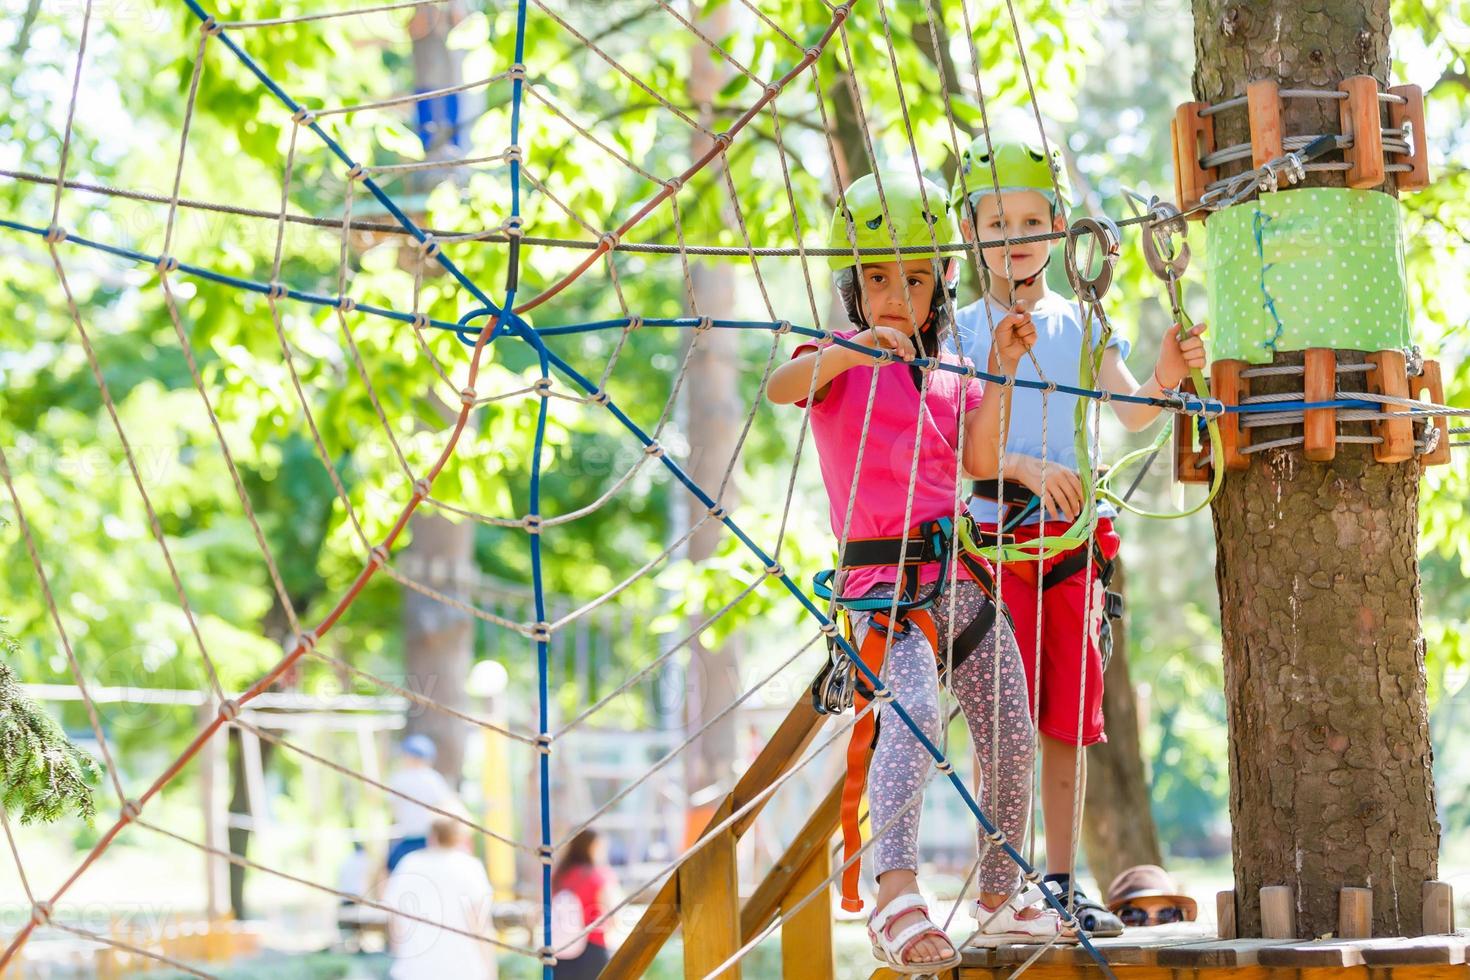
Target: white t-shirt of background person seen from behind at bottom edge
[[451, 888]]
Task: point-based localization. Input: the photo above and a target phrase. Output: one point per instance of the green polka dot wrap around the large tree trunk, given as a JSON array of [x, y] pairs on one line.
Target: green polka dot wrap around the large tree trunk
[[1321, 267]]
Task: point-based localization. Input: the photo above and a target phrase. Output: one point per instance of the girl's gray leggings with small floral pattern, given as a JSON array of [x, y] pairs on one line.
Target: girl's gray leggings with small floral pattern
[[902, 766]]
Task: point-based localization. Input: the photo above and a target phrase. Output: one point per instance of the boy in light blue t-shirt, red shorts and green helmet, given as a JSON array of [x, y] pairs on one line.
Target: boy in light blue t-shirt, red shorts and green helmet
[[1008, 190]]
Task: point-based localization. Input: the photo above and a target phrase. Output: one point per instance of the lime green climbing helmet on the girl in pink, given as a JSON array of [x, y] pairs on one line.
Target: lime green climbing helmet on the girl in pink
[[919, 212]]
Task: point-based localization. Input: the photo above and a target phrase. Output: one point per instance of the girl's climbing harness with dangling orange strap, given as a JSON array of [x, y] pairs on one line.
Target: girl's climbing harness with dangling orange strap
[[840, 685]]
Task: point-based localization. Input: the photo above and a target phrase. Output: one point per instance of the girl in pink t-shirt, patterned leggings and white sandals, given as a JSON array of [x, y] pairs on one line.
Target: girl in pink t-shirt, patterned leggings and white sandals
[[870, 419]]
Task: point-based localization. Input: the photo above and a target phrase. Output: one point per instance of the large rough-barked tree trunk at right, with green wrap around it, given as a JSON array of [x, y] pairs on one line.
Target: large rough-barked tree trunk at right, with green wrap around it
[[1331, 779]]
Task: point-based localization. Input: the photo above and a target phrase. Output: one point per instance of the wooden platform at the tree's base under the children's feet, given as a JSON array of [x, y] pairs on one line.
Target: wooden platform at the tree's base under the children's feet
[[1190, 953]]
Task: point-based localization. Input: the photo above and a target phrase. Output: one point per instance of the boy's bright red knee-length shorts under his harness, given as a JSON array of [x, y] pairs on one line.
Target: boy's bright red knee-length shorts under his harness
[[1066, 674]]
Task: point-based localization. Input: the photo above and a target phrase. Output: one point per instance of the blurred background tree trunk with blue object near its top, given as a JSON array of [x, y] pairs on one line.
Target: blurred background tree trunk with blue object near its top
[[437, 640]]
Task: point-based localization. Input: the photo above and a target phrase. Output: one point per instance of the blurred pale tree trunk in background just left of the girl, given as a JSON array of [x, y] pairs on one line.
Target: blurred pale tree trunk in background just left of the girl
[[714, 409]]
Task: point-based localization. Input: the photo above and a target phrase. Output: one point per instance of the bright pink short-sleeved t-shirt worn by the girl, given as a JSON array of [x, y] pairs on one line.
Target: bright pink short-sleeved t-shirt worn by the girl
[[883, 486]]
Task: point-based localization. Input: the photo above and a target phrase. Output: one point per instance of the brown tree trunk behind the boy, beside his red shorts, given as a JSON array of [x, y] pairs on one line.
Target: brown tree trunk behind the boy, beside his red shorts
[[1119, 829]]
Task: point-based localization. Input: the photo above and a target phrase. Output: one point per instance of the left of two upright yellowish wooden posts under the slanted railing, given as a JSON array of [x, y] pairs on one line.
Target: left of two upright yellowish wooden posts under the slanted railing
[[709, 909]]
